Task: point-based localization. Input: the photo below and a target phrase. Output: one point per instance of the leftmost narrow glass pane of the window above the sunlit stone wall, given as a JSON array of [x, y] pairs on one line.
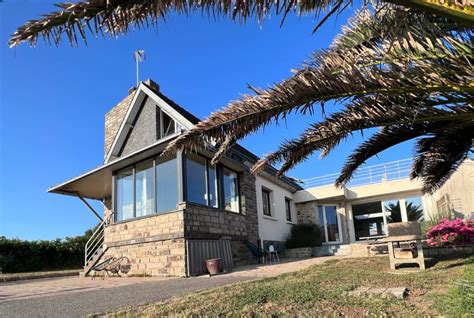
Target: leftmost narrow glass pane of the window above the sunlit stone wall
[[124, 198]]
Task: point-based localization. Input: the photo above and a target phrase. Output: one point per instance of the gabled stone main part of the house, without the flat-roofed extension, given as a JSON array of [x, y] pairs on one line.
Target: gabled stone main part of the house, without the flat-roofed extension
[[166, 214]]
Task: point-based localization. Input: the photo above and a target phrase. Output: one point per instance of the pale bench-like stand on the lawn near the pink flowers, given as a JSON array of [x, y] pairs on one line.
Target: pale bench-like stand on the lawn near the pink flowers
[[404, 244]]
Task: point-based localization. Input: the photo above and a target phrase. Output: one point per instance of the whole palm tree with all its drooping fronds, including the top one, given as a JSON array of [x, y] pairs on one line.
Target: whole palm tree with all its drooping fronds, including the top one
[[407, 71]]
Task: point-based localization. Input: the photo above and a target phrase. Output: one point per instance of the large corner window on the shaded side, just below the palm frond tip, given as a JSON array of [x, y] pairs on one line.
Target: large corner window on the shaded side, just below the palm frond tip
[[214, 186]]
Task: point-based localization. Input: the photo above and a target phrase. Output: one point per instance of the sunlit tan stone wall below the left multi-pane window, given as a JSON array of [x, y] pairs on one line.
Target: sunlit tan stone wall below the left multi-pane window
[[154, 244]]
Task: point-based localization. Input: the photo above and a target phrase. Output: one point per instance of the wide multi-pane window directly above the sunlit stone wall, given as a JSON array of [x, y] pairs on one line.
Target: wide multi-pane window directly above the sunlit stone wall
[[146, 188]]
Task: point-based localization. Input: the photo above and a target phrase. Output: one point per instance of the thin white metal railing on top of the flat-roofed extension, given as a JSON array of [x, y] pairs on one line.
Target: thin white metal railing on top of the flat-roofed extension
[[389, 171]]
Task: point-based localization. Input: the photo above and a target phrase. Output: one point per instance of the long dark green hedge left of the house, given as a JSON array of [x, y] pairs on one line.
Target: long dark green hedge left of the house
[[17, 256]]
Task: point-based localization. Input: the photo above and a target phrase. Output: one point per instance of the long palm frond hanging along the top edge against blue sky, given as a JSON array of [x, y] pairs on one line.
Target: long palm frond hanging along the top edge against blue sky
[[114, 17]]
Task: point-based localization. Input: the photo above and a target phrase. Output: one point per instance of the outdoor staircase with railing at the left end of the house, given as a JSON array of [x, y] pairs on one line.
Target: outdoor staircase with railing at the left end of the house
[[95, 247]]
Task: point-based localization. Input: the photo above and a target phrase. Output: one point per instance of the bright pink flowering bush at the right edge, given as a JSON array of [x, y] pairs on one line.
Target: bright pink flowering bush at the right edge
[[451, 232]]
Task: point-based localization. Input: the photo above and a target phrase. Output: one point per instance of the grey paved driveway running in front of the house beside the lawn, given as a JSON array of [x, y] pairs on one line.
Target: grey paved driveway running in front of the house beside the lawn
[[76, 297]]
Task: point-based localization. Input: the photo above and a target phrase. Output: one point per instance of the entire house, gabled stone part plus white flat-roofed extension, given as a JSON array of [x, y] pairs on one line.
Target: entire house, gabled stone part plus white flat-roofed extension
[[167, 215]]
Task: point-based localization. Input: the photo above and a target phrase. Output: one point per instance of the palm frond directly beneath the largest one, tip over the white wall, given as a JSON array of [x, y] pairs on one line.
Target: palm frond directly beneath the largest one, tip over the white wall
[[365, 113]]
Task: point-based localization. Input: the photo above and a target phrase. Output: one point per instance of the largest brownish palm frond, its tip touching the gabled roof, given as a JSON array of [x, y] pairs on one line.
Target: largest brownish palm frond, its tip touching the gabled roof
[[421, 58]]
